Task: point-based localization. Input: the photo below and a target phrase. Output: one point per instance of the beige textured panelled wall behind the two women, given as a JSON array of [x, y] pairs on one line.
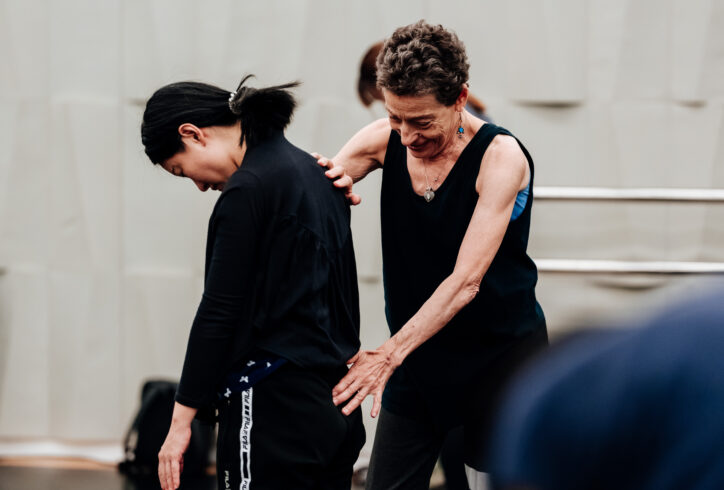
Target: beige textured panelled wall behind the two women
[[103, 254]]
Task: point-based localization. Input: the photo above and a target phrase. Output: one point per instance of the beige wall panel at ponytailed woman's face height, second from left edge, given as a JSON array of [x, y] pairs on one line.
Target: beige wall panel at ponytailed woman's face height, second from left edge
[[85, 192]]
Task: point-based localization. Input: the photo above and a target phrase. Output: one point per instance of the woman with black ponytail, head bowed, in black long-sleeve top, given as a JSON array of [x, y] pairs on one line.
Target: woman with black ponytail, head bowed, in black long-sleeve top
[[279, 315]]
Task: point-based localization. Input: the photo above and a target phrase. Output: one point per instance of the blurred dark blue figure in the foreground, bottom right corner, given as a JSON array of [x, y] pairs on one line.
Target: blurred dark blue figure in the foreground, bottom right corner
[[621, 409]]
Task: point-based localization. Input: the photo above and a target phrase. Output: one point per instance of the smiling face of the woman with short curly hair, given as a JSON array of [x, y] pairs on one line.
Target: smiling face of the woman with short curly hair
[[426, 126]]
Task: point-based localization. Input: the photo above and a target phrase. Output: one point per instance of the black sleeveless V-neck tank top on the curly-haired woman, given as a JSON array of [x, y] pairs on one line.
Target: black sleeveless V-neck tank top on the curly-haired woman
[[420, 244]]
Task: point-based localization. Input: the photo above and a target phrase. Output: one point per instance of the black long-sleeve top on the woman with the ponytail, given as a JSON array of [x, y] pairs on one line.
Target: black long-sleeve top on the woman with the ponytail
[[280, 272]]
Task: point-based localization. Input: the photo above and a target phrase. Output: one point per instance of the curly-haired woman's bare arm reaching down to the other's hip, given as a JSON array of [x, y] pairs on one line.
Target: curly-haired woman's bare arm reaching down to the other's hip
[[503, 172]]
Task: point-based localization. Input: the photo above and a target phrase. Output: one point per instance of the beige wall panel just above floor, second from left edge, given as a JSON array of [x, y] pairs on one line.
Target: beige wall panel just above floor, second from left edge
[[84, 359]]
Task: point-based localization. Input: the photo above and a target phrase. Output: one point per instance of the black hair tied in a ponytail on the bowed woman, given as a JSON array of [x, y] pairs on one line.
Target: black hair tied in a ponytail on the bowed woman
[[261, 111]]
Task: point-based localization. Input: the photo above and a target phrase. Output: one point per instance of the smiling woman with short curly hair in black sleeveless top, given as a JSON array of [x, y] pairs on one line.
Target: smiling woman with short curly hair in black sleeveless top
[[459, 286]]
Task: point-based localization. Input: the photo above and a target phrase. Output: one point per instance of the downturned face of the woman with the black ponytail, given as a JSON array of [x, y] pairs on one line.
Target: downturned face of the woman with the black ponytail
[[210, 155]]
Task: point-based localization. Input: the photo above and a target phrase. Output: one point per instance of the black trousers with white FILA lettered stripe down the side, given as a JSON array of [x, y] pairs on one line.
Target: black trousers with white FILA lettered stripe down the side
[[286, 433]]
